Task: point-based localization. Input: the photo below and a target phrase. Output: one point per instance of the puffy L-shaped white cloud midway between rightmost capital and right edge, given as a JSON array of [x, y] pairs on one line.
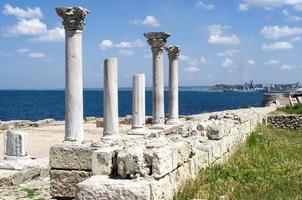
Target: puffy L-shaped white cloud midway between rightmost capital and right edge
[[216, 36]]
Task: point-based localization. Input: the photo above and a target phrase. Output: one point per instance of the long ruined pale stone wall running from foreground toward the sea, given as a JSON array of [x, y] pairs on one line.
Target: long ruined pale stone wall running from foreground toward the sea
[[148, 167]]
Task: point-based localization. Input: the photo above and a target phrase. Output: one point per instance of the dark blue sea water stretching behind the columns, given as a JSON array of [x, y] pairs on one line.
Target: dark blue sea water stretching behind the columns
[[35, 105]]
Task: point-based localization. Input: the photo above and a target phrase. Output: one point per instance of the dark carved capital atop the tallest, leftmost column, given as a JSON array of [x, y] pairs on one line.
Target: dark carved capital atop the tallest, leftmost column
[[73, 17]]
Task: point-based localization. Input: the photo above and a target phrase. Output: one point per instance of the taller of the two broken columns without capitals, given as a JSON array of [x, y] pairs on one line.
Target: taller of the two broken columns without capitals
[[110, 98]]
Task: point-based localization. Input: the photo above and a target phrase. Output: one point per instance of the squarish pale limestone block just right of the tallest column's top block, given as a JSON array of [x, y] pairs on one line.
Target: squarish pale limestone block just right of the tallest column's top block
[[103, 161]]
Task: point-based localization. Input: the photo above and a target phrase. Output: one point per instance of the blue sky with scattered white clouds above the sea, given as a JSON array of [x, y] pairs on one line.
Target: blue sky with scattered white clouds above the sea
[[221, 41]]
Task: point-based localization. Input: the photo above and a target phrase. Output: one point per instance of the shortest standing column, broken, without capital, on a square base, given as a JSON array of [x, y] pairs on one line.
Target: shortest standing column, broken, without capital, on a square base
[[138, 104]]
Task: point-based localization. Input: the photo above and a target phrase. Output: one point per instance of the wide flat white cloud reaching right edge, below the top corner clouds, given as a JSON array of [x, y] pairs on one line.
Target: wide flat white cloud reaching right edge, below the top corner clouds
[[275, 32]]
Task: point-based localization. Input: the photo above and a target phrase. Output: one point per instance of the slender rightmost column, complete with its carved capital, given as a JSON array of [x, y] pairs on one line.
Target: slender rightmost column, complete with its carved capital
[[173, 54]]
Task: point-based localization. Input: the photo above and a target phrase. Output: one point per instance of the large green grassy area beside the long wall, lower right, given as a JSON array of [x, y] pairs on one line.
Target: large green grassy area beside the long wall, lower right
[[269, 166]]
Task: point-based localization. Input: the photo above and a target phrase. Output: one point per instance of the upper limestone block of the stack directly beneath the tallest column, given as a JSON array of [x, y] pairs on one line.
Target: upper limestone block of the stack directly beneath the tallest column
[[70, 156]]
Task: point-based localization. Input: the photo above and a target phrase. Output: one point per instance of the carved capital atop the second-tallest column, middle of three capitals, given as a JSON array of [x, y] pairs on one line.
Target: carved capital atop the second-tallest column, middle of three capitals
[[157, 40]]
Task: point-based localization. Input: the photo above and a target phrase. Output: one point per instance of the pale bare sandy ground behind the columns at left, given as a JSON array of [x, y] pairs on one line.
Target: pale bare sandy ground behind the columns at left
[[40, 139]]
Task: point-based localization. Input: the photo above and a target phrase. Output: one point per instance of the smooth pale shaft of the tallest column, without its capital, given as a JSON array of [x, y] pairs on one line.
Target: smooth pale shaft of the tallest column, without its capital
[[73, 86]]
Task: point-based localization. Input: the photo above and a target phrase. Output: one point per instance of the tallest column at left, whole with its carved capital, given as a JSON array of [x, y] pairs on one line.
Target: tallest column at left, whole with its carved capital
[[73, 21]]
